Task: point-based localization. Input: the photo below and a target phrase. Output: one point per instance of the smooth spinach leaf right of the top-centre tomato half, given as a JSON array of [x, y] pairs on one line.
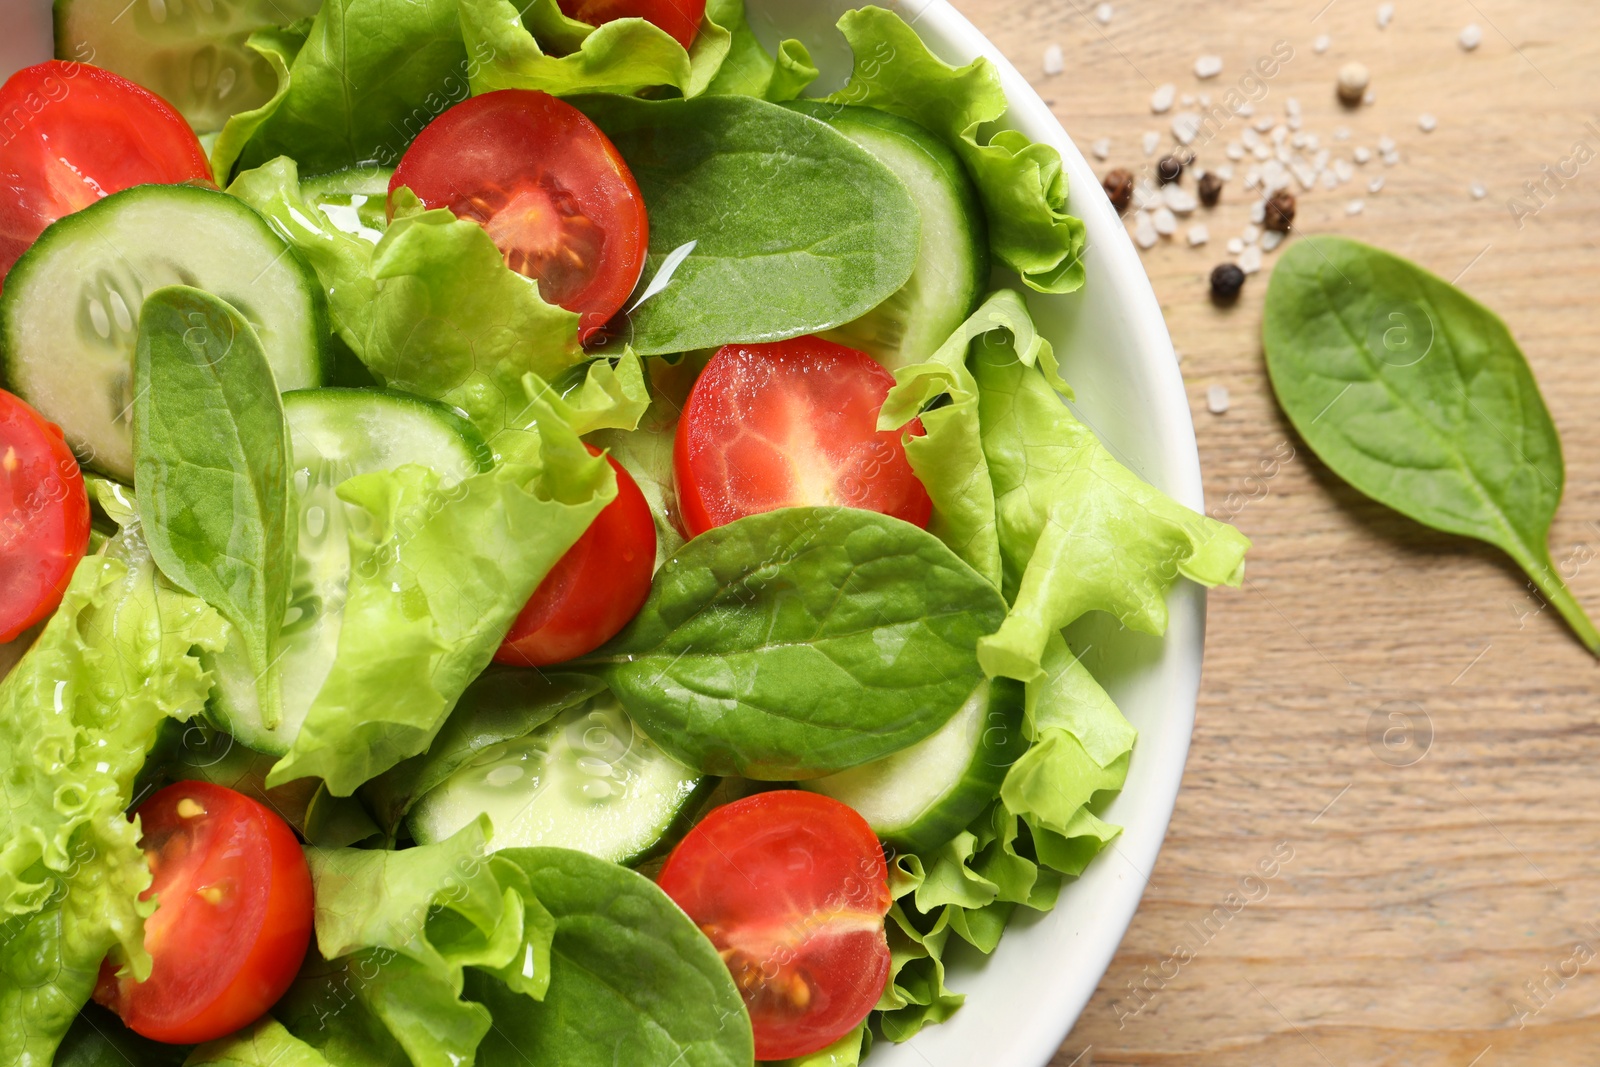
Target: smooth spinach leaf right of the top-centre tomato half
[[796, 228]]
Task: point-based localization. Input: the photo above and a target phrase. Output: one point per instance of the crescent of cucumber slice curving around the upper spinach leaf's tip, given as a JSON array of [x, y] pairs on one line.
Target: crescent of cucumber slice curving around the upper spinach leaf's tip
[[953, 265]]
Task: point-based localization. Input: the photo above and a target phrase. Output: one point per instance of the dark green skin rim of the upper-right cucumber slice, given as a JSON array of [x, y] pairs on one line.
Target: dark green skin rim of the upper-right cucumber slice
[[846, 119]]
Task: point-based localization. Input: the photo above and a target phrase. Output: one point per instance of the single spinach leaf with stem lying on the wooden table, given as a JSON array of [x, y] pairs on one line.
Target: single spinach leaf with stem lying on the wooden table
[[1418, 396]]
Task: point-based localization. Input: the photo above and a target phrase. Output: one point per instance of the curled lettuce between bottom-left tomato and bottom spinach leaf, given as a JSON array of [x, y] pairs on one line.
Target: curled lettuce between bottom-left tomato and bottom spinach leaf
[[396, 933]]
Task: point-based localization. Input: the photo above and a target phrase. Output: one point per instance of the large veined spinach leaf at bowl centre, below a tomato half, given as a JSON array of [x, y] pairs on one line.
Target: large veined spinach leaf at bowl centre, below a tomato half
[[802, 642]]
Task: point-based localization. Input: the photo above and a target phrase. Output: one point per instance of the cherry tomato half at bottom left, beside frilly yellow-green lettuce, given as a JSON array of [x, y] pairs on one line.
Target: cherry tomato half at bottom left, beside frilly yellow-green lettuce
[[233, 922]]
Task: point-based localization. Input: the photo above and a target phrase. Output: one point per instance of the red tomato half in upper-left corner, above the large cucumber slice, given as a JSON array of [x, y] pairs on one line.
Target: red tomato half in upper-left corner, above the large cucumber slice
[[76, 134]]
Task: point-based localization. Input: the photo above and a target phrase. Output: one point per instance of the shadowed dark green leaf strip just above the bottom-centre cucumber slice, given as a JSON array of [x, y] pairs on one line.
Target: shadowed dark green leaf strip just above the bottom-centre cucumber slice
[[502, 705]]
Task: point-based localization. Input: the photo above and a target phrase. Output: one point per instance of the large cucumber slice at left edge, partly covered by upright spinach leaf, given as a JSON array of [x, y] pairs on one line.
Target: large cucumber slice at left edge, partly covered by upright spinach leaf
[[70, 316]]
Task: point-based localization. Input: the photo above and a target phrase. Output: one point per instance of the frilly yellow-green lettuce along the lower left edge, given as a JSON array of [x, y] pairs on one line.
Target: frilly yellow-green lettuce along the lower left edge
[[78, 717]]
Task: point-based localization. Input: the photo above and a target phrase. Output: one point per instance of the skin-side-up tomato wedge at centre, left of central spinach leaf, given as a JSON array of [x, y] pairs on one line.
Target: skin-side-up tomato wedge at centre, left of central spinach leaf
[[594, 589]]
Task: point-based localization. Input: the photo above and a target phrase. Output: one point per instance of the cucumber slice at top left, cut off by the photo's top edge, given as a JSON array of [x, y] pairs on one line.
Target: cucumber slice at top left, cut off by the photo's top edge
[[191, 54]]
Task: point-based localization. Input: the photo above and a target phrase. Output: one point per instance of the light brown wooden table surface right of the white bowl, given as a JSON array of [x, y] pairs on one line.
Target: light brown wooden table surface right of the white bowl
[[1430, 911]]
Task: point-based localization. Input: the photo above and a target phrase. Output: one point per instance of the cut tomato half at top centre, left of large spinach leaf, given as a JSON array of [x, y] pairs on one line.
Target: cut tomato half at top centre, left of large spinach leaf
[[548, 186]]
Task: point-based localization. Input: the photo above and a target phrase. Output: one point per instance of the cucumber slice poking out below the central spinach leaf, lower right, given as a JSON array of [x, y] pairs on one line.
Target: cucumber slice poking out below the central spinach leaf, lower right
[[927, 794]]
